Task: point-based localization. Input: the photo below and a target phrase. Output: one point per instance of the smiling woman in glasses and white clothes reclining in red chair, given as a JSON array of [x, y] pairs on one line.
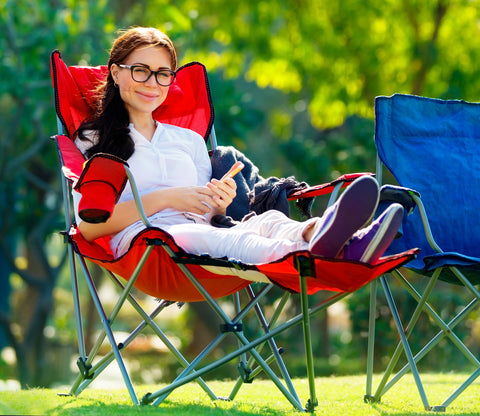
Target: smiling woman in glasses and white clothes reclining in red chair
[[173, 173]]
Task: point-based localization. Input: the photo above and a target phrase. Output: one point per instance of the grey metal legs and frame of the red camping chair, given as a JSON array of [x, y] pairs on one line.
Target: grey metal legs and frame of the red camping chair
[[89, 371]]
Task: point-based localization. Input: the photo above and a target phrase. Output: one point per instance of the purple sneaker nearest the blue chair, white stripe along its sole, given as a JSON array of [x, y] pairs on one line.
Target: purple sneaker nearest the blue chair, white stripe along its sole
[[369, 244]]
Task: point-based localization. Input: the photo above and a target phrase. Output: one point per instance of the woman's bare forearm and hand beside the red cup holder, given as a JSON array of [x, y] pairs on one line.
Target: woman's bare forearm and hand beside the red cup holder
[[194, 199]]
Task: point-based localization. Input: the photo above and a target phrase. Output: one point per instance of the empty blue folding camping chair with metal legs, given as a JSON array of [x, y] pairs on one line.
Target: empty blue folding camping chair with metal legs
[[432, 147]]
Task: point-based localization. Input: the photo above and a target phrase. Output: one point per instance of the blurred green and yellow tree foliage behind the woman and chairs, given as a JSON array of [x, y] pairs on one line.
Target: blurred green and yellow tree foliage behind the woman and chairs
[[293, 83]]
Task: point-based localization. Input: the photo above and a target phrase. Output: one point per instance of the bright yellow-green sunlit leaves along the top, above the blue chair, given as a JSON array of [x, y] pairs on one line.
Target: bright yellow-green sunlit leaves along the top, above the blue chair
[[347, 51]]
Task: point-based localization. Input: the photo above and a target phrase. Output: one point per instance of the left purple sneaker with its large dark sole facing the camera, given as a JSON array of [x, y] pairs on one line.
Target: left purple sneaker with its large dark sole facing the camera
[[352, 211]]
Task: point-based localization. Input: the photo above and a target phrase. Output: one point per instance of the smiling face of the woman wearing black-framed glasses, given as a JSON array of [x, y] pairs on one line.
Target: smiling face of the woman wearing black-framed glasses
[[141, 98]]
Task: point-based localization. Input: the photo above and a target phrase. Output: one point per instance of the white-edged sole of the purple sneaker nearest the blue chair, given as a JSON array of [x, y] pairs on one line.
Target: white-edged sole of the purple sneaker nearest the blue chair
[[385, 235]]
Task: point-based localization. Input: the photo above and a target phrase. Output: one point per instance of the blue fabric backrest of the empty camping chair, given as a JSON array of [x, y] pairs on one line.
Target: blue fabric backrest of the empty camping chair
[[433, 146]]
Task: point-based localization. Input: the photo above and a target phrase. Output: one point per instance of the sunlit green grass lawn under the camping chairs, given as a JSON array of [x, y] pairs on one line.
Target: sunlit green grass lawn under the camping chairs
[[337, 396]]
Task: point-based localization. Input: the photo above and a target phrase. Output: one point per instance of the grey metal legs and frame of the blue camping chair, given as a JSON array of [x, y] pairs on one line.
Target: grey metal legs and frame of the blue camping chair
[[404, 330]]
